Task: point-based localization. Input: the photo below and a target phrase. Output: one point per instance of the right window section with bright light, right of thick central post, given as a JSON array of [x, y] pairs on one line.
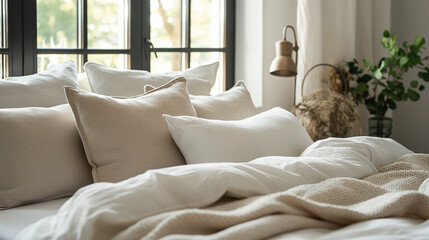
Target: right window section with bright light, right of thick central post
[[187, 34]]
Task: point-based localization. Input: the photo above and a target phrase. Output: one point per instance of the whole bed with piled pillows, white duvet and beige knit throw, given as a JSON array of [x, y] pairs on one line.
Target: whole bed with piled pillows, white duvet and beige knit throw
[[167, 164]]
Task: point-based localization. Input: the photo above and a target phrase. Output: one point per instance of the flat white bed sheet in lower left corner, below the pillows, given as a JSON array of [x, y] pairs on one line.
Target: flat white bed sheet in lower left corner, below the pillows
[[13, 220]]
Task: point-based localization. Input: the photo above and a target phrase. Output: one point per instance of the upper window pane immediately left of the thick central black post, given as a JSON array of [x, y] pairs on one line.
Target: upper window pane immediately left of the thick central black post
[[108, 24]]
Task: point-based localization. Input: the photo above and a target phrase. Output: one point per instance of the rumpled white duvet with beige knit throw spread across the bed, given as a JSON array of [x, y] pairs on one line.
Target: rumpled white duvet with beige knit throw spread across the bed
[[182, 211]]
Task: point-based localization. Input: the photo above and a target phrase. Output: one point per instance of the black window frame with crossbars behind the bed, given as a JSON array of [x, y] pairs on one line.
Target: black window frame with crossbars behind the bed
[[22, 38]]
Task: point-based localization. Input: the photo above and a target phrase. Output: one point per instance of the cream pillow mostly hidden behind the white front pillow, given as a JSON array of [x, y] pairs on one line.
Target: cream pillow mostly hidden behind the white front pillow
[[234, 104]]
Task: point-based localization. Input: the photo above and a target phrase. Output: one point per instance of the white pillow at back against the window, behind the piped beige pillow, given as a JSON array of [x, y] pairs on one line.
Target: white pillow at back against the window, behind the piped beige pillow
[[113, 82]]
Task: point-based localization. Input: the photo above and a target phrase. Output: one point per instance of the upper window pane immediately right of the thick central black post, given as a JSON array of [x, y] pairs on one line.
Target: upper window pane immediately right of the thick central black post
[[165, 23]]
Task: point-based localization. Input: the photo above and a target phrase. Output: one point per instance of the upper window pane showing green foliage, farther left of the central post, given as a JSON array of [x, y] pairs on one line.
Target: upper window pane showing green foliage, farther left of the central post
[[56, 24]]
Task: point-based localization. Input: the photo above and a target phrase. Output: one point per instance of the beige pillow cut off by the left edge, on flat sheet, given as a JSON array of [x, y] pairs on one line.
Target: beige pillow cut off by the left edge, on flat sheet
[[41, 155]]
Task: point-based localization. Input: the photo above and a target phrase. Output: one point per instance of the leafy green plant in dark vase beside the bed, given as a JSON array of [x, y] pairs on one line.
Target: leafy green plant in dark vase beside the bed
[[380, 86]]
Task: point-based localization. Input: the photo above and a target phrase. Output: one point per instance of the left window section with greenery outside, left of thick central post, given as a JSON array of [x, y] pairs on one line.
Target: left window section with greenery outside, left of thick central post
[[91, 30]]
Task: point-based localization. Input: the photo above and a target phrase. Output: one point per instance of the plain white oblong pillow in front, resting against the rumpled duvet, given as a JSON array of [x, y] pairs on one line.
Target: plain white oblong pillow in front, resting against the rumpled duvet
[[274, 132]]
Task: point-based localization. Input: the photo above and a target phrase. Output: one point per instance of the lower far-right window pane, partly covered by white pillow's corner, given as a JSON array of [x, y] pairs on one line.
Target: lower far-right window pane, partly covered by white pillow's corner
[[200, 58]]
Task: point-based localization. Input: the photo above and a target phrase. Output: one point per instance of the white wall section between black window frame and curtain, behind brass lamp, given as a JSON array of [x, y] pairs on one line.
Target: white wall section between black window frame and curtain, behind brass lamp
[[259, 25]]
